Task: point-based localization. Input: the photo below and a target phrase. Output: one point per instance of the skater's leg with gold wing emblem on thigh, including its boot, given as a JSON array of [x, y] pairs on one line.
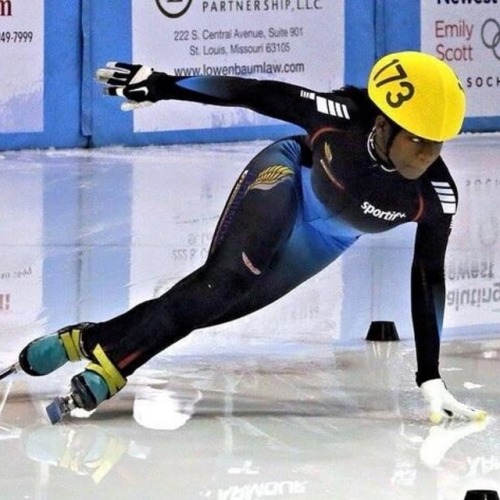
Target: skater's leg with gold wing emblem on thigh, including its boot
[[256, 222]]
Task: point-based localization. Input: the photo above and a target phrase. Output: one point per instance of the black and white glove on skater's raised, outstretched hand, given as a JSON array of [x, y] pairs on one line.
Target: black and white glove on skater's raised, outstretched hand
[[140, 85]]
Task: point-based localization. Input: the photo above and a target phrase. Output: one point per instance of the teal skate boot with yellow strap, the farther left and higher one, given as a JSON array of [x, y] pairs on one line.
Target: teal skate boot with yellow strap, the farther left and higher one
[[46, 354]]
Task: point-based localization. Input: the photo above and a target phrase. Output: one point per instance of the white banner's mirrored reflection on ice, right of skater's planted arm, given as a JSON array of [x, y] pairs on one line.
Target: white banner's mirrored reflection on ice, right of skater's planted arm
[[473, 261]]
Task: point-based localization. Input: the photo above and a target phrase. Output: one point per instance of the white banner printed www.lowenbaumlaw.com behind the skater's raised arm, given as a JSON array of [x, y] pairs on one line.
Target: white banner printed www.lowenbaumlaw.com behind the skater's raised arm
[[299, 41]]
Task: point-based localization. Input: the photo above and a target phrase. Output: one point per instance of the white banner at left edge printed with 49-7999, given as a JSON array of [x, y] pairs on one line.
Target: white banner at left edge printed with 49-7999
[[22, 55]]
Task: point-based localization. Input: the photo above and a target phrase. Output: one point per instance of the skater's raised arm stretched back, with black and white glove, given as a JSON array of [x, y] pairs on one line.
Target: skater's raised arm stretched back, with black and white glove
[[290, 103]]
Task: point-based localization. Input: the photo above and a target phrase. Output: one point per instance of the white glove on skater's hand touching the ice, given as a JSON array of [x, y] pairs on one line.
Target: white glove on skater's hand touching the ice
[[443, 405]]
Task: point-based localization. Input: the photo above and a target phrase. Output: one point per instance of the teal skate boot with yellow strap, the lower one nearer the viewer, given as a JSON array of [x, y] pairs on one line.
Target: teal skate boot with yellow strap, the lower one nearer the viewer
[[89, 389]]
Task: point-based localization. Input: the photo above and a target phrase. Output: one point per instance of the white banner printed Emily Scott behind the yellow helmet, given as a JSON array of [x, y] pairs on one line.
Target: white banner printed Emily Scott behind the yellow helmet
[[466, 34]]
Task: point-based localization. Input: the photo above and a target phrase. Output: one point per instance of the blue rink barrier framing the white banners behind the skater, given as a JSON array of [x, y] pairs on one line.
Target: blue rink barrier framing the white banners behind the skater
[[75, 114]]
